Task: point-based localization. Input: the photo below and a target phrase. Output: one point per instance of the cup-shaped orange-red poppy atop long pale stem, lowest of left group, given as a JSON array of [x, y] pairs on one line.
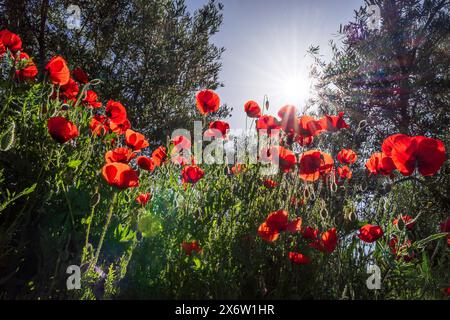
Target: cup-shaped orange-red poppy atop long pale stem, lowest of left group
[[120, 175]]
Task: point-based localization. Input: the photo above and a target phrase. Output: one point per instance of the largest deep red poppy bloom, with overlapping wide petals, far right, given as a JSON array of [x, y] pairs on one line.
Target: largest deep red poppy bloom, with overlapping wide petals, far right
[[408, 152]]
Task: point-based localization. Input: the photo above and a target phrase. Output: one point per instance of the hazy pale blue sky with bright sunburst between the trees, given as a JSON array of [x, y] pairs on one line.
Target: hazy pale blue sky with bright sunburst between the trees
[[266, 42]]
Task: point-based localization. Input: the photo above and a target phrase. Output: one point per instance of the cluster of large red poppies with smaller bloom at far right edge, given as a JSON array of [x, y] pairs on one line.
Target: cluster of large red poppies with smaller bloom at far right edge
[[404, 153]]
